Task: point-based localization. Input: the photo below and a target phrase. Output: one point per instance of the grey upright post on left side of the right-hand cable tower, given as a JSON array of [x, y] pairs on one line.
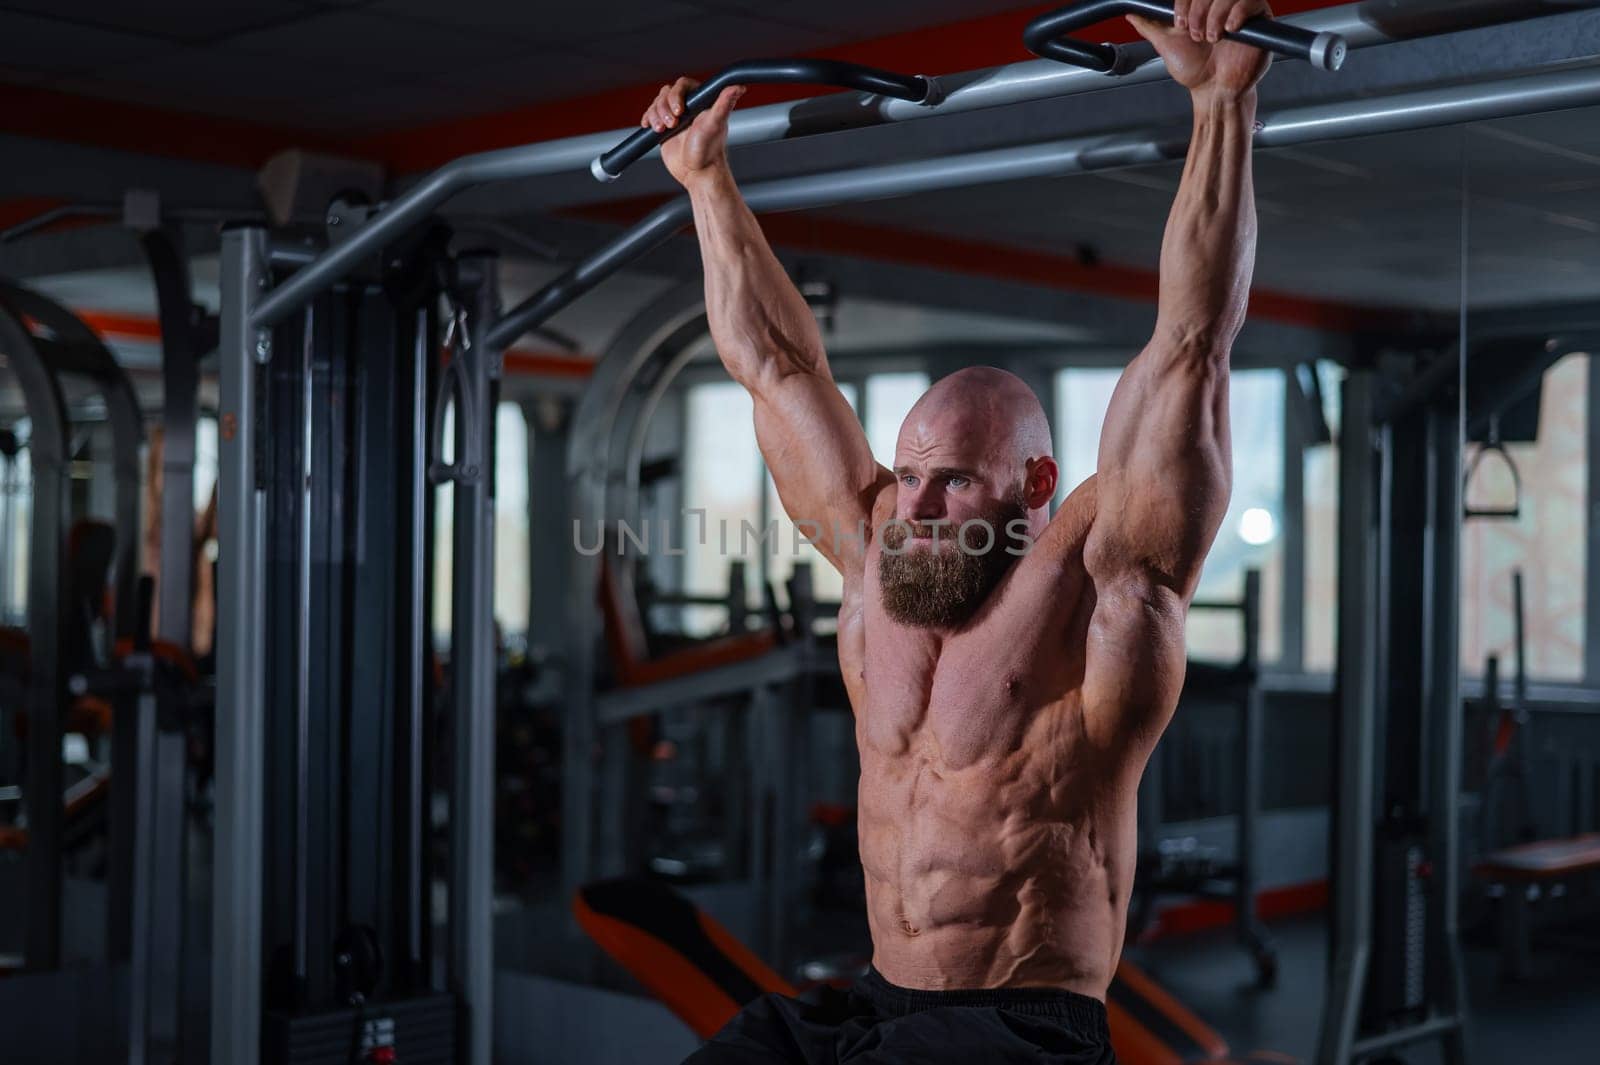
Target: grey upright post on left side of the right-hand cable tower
[[1358, 722]]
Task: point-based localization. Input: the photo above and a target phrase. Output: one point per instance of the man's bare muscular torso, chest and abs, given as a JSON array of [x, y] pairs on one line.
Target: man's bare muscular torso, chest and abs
[[998, 842]]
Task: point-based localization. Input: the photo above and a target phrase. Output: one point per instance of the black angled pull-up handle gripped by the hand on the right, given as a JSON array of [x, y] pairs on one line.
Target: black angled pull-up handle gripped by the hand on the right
[[1047, 38]]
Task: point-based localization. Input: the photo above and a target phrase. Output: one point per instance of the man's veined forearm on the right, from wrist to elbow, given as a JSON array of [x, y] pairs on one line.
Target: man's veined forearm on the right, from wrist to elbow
[[1210, 247]]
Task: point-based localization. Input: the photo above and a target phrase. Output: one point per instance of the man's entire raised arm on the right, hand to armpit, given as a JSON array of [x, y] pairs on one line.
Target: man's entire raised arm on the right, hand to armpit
[[1166, 466]]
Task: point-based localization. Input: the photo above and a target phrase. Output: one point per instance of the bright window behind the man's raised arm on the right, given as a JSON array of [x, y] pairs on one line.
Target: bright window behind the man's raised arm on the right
[[1252, 529]]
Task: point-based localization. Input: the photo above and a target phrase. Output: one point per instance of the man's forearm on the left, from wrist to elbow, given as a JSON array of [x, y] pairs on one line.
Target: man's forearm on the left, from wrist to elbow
[[761, 324]]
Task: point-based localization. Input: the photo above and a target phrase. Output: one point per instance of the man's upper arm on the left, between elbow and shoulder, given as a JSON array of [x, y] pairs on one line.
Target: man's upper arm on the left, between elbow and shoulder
[[822, 463]]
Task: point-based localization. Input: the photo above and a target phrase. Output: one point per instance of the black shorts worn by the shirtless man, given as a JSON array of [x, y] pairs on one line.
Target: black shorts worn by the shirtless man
[[878, 1023]]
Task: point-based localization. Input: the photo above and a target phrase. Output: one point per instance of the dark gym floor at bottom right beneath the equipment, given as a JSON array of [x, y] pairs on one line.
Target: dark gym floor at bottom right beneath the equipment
[[1553, 1019]]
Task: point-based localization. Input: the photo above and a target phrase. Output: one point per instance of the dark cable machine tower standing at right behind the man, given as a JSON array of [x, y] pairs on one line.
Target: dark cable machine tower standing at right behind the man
[[1399, 728]]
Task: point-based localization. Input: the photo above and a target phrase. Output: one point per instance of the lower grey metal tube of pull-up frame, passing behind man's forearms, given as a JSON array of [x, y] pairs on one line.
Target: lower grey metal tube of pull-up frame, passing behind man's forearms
[[1526, 94]]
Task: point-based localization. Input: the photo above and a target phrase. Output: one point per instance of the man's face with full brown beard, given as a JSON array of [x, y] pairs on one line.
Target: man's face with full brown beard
[[932, 573]]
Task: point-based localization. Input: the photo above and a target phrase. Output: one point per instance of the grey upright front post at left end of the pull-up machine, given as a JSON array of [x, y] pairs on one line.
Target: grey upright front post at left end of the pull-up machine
[[241, 720]]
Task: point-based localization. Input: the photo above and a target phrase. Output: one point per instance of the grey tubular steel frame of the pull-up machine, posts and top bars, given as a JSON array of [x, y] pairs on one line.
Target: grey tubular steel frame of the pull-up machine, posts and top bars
[[252, 308]]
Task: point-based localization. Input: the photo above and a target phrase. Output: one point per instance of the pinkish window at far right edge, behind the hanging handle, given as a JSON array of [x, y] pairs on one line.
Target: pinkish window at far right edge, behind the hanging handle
[[1546, 543]]
